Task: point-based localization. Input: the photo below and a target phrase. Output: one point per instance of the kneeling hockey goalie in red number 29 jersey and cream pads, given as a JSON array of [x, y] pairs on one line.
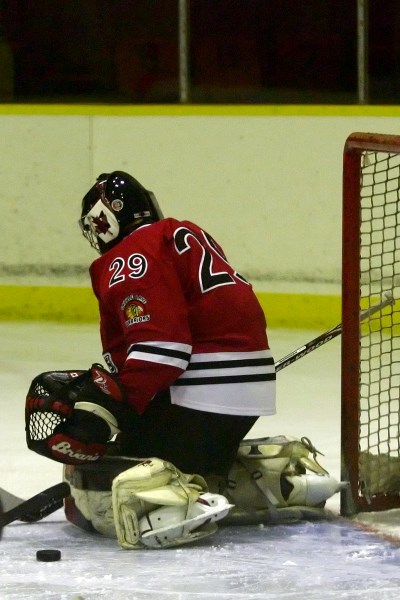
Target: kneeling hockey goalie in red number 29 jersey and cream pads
[[154, 442]]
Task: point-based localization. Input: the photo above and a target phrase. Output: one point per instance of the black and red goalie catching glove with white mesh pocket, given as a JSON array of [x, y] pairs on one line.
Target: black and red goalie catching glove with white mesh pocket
[[70, 416]]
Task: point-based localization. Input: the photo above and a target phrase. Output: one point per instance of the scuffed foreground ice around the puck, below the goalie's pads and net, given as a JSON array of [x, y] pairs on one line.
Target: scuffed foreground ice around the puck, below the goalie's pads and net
[[319, 560]]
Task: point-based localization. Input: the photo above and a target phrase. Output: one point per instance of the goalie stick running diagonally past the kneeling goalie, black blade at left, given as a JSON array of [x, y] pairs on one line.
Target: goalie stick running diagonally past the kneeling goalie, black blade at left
[[51, 499]]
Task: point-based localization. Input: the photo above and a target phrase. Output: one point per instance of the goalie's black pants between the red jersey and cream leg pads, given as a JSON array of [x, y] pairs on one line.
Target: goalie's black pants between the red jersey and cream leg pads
[[194, 441]]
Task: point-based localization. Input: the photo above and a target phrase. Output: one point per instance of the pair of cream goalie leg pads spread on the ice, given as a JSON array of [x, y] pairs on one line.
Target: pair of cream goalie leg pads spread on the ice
[[150, 503]]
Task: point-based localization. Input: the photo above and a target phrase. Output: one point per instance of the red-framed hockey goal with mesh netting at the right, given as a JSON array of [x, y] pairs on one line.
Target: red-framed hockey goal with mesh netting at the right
[[371, 348]]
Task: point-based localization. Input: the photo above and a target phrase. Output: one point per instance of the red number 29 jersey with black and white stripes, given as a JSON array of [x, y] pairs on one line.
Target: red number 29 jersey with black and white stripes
[[174, 314]]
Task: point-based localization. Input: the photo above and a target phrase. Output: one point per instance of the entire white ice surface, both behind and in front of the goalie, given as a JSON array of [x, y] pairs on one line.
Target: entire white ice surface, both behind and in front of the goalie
[[307, 561]]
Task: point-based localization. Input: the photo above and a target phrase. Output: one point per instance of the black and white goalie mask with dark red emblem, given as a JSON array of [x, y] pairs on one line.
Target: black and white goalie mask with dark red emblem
[[116, 205]]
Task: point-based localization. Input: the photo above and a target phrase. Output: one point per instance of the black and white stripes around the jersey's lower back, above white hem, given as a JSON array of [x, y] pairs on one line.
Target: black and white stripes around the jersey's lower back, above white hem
[[228, 367]]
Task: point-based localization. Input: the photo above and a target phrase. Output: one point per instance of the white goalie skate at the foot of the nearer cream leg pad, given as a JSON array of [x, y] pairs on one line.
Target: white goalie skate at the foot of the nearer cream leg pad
[[175, 525]]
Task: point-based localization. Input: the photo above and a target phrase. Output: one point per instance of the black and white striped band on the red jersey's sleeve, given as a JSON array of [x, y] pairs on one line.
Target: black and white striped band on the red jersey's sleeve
[[164, 353]]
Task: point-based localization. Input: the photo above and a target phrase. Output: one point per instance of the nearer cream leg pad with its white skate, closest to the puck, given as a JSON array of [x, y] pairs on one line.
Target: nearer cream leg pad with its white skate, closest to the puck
[[156, 505]]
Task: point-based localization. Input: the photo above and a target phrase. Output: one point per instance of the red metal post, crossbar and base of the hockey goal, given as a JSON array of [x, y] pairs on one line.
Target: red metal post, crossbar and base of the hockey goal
[[357, 143]]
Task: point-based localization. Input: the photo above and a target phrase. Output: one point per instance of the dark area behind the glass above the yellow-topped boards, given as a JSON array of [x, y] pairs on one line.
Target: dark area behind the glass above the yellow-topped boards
[[241, 51]]
